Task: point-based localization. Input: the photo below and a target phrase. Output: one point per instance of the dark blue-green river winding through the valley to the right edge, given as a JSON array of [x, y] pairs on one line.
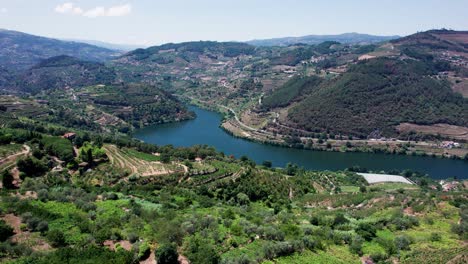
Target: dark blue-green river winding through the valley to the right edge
[[205, 130]]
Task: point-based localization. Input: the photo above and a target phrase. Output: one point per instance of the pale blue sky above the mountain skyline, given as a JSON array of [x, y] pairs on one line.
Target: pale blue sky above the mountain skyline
[[151, 22]]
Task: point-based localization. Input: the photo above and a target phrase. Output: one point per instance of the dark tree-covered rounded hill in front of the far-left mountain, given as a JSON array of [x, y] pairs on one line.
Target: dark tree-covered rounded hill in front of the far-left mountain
[[64, 71]]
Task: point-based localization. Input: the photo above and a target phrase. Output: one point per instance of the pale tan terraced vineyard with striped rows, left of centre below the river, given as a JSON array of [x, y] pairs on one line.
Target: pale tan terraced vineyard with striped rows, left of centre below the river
[[135, 166]]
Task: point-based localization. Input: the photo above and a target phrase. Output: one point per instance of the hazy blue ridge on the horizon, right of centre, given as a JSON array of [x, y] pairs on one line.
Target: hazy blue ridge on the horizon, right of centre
[[346, 38]]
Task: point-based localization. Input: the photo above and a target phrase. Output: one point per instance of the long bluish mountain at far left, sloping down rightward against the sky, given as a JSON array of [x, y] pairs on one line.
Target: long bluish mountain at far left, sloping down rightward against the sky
[[19, 51]]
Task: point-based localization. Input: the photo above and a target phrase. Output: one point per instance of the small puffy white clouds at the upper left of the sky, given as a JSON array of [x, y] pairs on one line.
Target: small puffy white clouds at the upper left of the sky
[[99, 11]]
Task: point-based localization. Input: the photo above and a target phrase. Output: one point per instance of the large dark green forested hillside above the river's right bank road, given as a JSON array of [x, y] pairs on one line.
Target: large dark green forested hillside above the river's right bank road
[[378, 95]]
